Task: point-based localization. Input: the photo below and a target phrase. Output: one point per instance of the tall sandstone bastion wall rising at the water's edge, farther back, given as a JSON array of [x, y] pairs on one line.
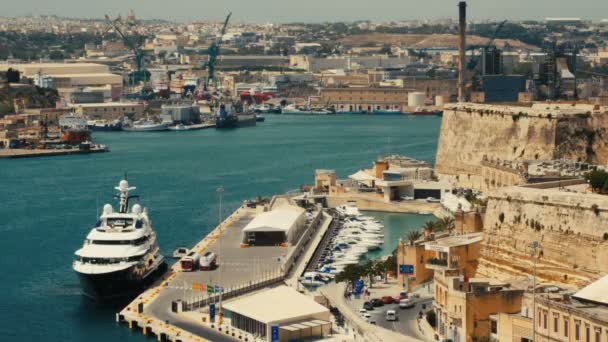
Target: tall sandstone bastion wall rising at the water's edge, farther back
[[471, 131]]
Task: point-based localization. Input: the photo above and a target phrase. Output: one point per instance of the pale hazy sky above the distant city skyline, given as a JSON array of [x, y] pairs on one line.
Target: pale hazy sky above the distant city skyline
[[309, 10]]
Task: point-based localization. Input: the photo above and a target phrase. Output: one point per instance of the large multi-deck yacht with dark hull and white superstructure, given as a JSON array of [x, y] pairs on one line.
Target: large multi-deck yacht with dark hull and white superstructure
[[120, 255]]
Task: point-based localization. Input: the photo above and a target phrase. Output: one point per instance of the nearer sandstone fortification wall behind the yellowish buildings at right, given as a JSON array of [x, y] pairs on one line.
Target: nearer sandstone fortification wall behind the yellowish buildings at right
[[572, 229]]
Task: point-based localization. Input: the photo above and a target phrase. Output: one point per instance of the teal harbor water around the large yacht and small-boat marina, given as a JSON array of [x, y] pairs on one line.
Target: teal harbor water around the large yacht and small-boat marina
[[49, 204]]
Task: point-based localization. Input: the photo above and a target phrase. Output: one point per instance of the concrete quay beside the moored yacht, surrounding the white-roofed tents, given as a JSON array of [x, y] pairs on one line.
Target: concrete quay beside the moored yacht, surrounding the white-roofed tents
[[240, 271]]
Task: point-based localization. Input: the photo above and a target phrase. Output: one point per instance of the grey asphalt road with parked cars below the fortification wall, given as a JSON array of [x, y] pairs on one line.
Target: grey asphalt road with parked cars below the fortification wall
[[407, 318]]
